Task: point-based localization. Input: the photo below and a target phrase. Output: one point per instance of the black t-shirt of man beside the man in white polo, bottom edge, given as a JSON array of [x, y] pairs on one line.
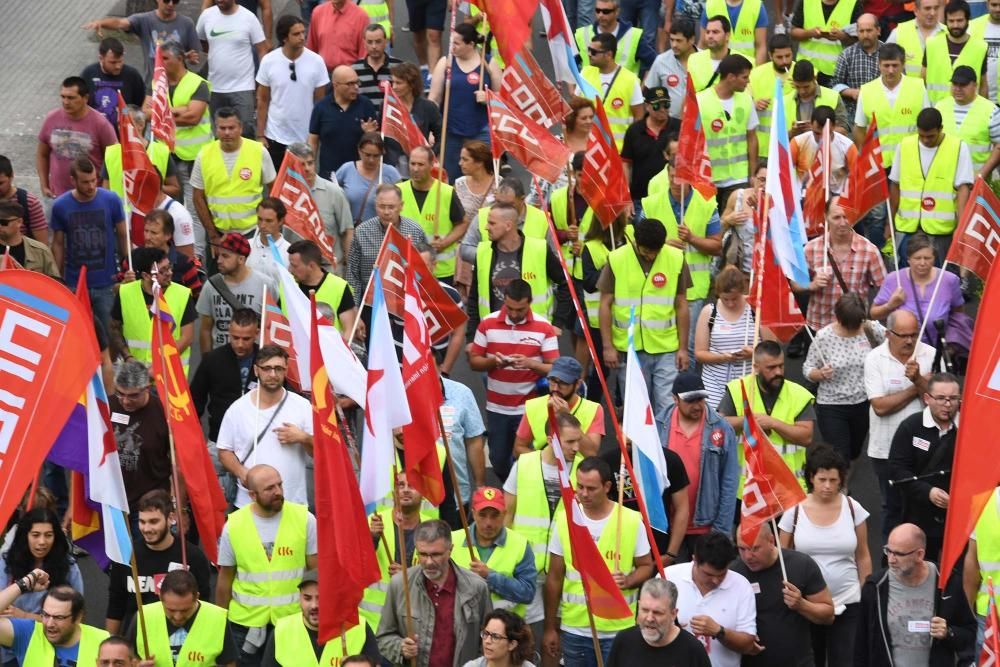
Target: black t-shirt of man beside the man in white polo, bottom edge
[[783, 632]]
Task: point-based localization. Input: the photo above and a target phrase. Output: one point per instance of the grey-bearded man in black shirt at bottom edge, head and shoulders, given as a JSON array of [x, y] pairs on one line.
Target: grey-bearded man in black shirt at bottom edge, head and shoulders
[[656, 635]]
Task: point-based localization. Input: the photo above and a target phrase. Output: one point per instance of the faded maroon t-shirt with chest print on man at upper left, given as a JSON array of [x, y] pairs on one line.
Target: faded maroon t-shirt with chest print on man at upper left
[[69, 138]]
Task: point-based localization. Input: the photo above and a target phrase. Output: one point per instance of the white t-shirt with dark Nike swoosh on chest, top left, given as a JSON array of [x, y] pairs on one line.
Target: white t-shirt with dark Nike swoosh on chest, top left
[[231, 39]]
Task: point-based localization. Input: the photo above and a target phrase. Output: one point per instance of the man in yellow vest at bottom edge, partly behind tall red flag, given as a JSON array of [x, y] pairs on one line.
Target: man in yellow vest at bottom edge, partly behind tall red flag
[[294, 635]]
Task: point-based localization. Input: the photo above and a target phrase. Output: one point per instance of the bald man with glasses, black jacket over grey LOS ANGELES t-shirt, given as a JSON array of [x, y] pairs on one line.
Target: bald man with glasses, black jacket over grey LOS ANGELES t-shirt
[[904, 618]]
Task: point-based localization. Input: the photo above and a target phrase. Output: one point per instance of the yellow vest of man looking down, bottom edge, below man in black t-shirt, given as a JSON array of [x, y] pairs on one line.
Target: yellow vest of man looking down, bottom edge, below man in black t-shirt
[[202, 645]]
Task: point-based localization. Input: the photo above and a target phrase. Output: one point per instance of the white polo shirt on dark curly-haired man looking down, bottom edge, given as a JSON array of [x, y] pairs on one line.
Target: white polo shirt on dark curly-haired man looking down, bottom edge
[[731, 605]]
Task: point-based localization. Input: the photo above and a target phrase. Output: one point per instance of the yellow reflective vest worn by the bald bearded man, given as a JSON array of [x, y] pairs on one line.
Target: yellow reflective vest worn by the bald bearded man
[[265, 590]]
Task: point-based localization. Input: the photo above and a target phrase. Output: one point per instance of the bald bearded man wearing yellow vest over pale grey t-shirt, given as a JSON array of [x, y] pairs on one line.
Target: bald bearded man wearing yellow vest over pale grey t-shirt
[[265, 549]]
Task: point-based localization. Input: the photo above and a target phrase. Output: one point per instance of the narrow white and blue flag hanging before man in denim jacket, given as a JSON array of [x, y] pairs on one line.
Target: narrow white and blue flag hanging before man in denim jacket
[[649, 463]]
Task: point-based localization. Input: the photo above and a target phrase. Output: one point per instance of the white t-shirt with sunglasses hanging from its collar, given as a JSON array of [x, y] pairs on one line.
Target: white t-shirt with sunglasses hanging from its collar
[[291, 101]]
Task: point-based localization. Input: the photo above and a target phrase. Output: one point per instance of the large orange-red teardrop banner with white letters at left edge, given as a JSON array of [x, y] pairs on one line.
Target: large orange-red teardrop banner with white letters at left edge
[[44, 369]]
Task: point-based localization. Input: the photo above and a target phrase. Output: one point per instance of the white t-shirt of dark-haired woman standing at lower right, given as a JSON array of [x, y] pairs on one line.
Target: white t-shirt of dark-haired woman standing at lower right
[[832, 547]]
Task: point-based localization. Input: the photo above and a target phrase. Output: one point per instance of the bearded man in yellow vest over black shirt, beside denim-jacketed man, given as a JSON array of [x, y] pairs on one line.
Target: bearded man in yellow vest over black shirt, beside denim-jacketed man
[[783, 409]]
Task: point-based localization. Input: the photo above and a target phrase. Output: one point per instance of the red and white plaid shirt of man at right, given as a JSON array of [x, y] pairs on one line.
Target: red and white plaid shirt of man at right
[[862, 271]]
